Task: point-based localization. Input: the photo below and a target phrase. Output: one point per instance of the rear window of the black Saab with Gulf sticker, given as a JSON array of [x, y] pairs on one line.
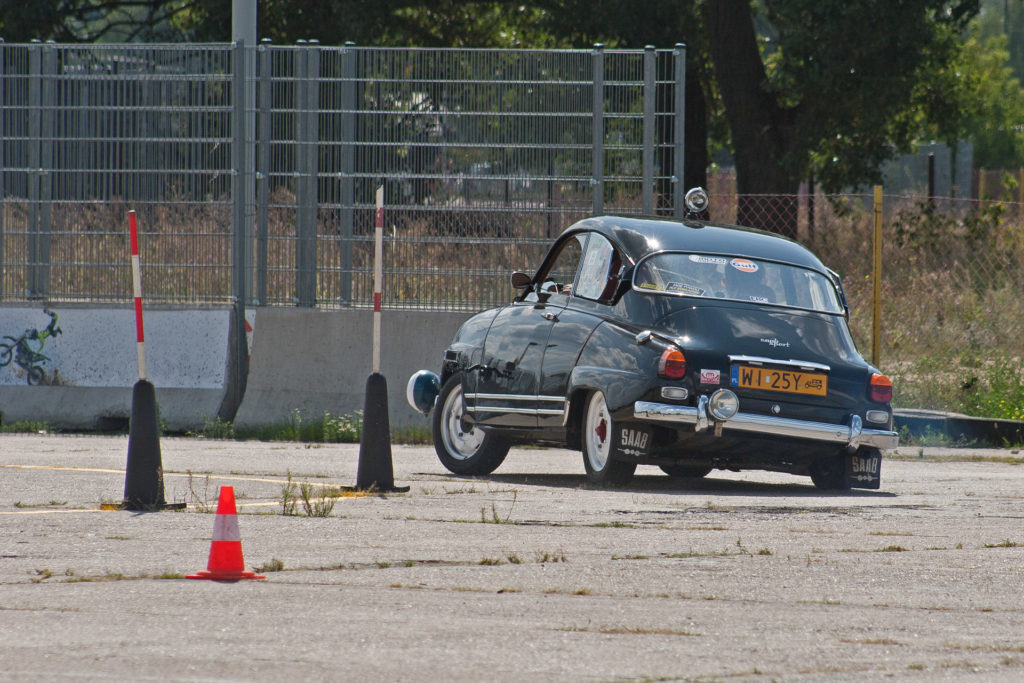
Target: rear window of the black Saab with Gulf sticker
[[746, 280]]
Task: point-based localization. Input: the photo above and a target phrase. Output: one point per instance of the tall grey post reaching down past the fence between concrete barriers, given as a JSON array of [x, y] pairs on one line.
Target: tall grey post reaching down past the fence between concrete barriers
[[240, 232]]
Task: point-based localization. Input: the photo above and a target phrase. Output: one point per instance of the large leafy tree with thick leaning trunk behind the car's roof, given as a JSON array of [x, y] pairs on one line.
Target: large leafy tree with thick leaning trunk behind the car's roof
[[834, 90]]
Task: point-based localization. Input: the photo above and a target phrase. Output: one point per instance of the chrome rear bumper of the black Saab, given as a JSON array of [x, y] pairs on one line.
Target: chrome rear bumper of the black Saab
[[852, 436]]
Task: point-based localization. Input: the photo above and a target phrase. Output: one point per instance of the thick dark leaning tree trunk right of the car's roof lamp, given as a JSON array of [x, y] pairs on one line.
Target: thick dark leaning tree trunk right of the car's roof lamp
[[767, 178]]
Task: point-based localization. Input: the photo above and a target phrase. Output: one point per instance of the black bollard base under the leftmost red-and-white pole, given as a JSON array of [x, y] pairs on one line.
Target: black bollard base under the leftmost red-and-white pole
[[145, 475]]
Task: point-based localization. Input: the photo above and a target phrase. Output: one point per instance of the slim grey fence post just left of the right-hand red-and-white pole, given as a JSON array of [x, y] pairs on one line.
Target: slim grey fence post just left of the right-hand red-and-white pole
[[349, 108]]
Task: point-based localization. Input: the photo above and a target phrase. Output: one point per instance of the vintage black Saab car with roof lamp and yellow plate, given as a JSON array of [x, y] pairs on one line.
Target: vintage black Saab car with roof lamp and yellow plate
[[682, 345]]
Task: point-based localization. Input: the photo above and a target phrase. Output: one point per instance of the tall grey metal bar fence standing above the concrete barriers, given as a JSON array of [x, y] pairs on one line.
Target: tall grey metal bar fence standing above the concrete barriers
[[253, 170]]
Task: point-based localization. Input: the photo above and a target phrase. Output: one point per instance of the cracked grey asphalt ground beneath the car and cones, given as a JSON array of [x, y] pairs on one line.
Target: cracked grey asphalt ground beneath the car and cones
[[530, 574]]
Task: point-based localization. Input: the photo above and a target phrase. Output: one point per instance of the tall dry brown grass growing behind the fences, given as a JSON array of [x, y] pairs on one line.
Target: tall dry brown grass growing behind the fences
[[952, 310]]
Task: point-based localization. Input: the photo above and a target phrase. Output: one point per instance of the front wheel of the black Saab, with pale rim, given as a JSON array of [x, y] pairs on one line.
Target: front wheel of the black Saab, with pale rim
[[473, 453]]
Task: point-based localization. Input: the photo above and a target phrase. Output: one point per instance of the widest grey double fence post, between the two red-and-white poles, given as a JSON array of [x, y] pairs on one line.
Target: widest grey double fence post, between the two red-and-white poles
[[308, 108]]
